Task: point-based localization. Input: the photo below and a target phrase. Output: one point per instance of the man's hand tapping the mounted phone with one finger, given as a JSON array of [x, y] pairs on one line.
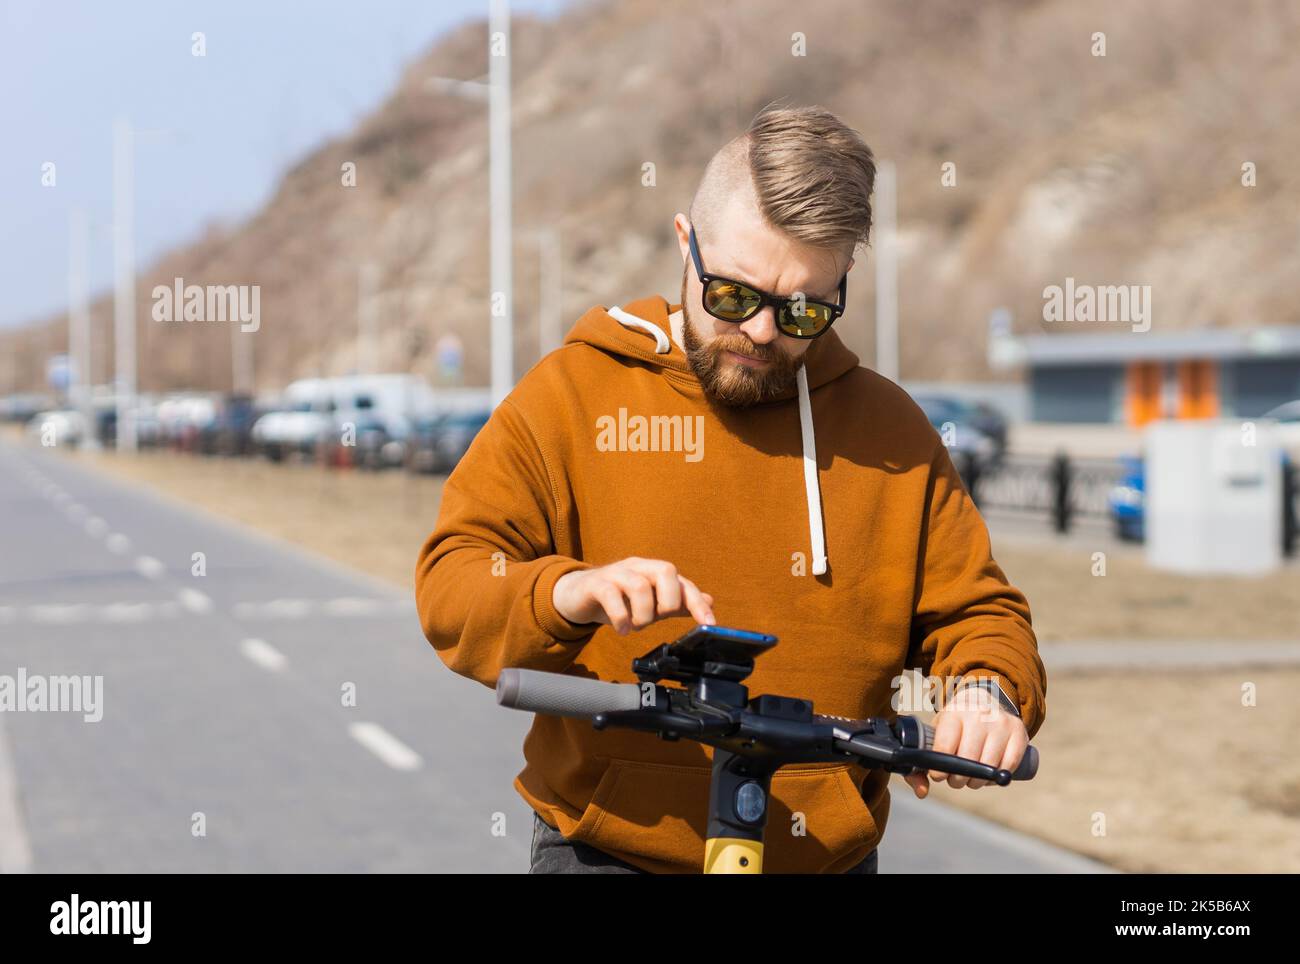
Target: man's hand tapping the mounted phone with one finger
[[630, 594]]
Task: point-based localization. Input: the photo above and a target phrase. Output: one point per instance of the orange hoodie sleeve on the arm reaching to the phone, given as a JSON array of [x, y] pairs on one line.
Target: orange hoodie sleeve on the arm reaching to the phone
[[486, 576]]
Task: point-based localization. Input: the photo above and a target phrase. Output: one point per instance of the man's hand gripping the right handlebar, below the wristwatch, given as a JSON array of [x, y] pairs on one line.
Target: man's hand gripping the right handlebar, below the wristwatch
[[974, 726]]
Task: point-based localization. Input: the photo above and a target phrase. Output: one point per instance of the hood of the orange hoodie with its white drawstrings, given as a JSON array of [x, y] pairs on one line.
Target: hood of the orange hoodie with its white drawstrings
[[640, 331]]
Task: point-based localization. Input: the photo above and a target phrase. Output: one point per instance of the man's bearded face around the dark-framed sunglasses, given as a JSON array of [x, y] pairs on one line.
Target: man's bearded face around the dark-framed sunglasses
[[753, 362]]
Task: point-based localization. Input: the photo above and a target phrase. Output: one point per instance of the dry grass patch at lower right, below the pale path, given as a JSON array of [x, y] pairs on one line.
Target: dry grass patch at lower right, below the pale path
[[1185, 778]]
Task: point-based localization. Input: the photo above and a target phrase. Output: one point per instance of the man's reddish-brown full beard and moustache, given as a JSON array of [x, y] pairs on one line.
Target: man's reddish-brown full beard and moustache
[[730, 383]]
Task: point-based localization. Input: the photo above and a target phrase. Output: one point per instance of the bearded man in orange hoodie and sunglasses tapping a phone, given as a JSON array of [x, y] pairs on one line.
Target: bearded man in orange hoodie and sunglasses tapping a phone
[[727, 461]]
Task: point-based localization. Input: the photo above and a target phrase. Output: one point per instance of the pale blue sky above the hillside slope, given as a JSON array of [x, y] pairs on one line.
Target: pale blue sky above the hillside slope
[[279, 79]]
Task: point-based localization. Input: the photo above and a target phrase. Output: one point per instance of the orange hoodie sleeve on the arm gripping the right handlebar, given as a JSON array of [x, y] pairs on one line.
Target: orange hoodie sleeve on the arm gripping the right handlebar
[[968, 619]]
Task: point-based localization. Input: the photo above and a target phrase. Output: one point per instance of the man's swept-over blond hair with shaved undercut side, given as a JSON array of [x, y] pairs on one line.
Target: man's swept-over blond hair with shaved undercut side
[[809, 175]]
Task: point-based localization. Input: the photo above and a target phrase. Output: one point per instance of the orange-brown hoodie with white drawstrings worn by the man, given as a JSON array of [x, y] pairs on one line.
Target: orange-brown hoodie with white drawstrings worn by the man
[[833, 519]]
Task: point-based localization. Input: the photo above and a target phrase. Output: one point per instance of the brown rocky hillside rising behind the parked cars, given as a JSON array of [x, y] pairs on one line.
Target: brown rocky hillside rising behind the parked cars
[[1124, 168]]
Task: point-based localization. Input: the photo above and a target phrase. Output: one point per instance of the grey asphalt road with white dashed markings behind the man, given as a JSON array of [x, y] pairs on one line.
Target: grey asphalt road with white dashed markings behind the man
[[223, 710]]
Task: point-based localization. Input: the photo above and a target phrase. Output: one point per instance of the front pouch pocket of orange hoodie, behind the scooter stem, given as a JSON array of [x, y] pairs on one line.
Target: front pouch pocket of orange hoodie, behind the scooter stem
[[656, 815]]
